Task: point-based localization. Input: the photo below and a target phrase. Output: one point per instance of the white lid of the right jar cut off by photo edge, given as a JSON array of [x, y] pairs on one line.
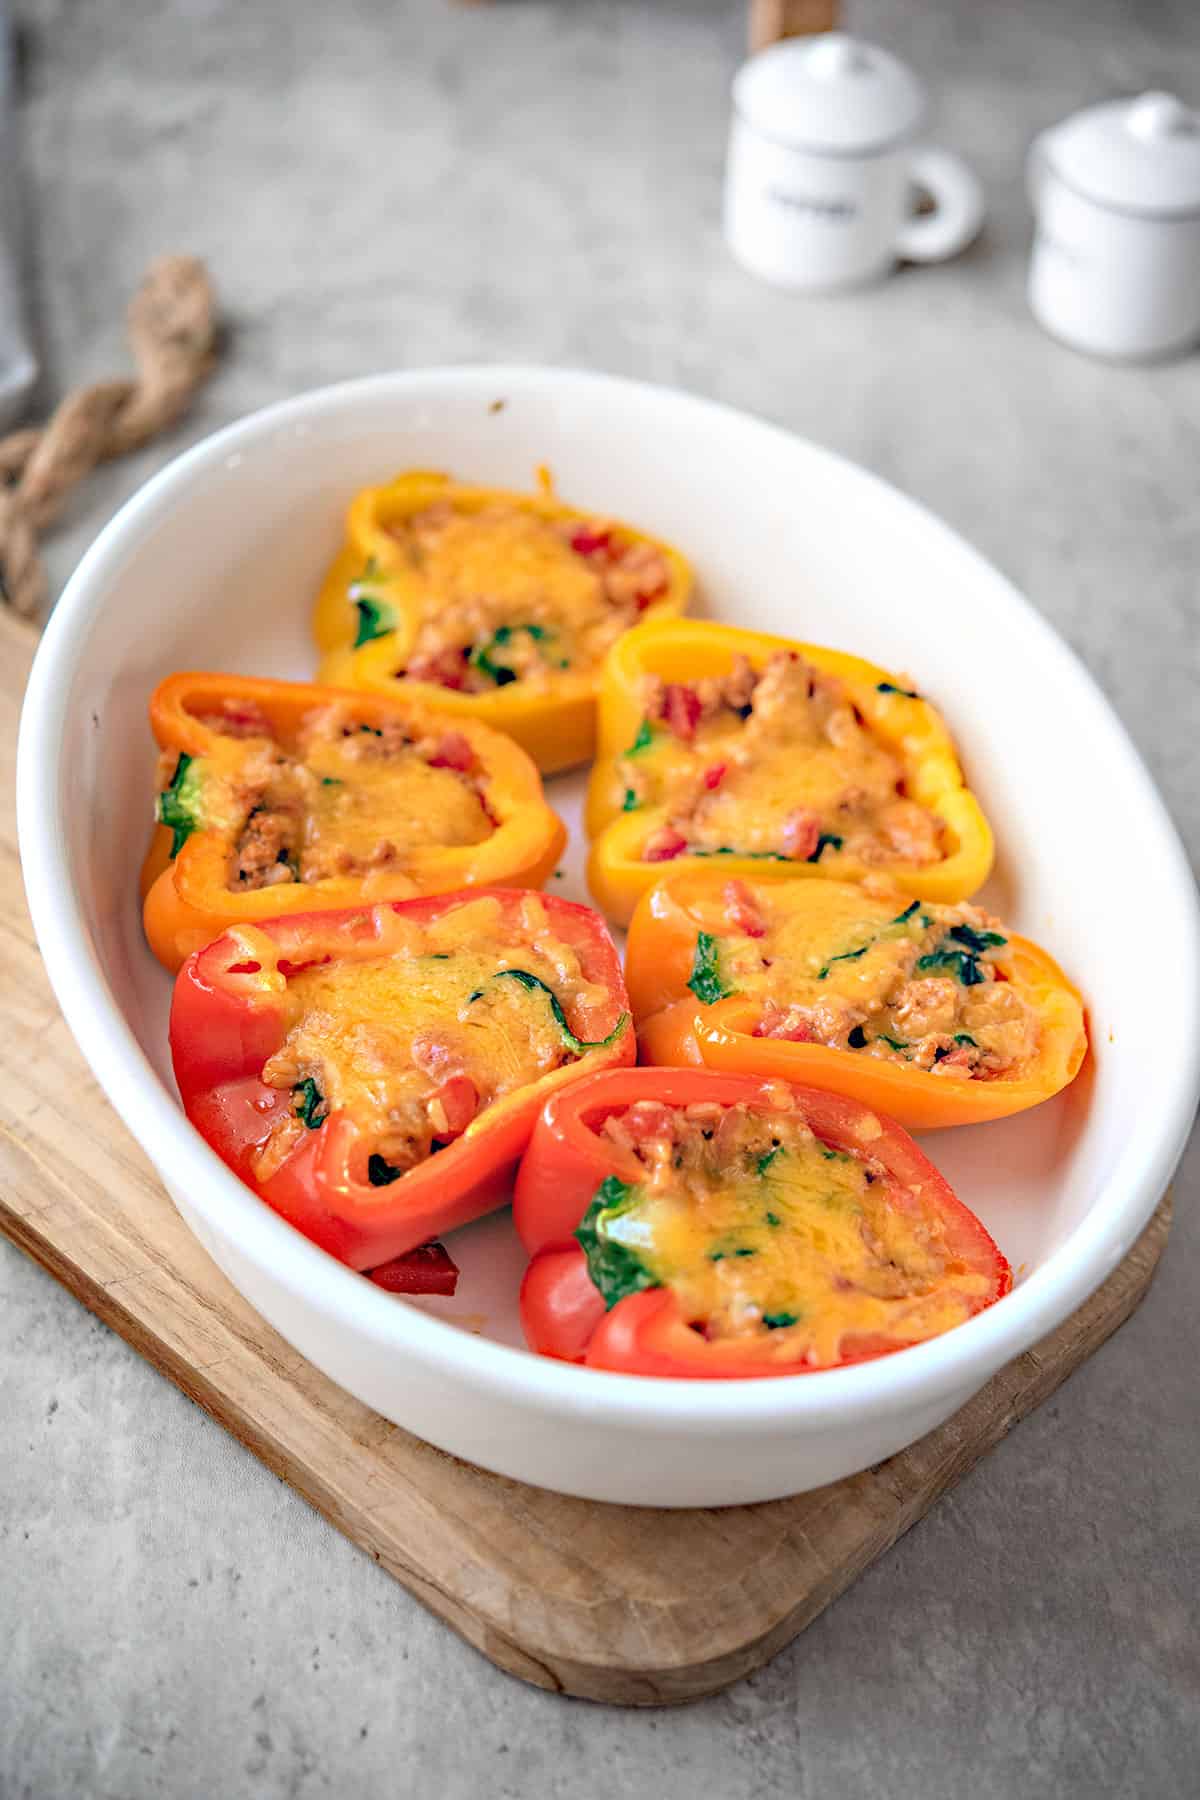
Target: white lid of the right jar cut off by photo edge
[[1138, 156]]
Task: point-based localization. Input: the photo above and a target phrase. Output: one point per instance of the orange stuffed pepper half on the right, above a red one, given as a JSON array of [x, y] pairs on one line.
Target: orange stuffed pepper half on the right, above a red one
[[935, 1014]]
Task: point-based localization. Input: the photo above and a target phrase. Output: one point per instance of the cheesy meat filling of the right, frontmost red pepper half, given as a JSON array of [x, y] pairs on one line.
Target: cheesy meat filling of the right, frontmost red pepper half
[[766, 1232]]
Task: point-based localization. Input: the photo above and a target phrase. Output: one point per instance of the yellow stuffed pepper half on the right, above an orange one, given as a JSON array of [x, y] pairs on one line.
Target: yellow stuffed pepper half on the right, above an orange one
[[749, 751]]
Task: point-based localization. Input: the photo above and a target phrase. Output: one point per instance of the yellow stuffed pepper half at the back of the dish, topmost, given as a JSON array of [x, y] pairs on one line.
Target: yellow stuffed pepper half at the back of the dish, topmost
[[490, 606]]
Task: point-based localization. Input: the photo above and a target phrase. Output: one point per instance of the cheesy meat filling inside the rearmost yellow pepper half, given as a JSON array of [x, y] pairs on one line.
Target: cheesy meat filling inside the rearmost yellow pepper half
[[510, 597]]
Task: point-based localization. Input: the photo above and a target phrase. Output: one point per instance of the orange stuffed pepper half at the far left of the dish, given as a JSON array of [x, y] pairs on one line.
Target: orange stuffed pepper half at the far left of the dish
[[287, 798]]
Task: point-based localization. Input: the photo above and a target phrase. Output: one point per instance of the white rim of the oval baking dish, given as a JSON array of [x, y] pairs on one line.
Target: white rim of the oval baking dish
[[908, 1380]]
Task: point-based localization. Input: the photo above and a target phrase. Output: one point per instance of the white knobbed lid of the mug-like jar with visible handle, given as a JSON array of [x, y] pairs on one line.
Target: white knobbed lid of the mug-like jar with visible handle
[[832, 93]]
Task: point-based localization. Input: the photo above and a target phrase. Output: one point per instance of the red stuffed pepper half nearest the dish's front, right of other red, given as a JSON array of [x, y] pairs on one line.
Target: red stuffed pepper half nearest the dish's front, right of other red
[[685, 1223]]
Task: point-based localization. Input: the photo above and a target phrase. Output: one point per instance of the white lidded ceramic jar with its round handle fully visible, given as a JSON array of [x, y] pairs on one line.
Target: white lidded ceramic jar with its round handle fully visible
[[823, 166]]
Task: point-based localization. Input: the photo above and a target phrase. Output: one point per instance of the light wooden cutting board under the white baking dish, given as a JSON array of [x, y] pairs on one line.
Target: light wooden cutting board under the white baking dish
[[571, 1596]]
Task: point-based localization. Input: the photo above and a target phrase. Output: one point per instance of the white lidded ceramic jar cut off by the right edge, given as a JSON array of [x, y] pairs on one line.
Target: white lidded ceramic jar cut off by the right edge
[[1116, 256]]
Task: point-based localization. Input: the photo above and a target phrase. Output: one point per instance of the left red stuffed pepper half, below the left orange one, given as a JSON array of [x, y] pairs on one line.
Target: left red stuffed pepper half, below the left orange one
[[375, 1075]]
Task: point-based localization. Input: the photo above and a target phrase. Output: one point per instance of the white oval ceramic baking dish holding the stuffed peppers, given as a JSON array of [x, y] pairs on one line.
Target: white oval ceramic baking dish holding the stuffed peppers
[[215, 566]]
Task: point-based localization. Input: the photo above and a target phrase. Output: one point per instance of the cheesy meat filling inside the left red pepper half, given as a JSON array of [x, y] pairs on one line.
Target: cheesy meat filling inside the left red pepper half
[[416, 1041]]
